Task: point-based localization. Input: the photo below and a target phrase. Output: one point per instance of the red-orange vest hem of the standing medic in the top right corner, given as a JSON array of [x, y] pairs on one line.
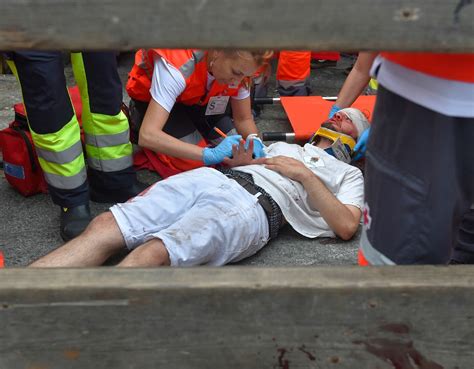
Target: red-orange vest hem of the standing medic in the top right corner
[[457, 67]]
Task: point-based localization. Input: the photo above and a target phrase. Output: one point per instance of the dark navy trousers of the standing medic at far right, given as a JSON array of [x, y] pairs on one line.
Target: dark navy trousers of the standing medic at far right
[[414, 196]]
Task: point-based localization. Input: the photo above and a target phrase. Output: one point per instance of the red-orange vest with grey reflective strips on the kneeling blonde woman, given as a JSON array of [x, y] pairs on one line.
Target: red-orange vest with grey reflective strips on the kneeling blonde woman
[[193, 66]]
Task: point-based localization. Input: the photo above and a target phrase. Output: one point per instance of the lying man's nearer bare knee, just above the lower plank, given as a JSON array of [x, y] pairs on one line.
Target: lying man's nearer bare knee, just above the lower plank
[[151, 253]]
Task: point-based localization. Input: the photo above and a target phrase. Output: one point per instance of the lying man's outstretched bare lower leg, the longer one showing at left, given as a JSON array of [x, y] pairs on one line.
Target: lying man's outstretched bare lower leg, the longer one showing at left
[[100, 240]]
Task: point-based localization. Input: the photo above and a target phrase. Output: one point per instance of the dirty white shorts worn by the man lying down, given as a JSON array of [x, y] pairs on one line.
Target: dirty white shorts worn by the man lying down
[[201, 216]]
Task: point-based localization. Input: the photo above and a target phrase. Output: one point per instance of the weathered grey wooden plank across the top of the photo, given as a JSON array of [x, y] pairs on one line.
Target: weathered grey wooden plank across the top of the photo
[[440, 25]]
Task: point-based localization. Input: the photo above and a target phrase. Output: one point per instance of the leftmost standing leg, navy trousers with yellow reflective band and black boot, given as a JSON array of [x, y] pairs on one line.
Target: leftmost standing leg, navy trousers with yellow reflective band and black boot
[[56, 135]]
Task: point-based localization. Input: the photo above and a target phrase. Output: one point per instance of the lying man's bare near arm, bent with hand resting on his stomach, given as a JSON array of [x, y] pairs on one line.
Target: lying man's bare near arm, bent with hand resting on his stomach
[[343, 219]]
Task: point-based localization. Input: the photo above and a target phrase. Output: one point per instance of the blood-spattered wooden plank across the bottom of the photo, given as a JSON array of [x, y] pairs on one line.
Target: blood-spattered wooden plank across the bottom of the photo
[[344, 317]]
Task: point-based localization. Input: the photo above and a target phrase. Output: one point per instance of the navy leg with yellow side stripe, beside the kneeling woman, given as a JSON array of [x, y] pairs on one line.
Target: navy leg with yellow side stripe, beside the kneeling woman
[[109, 150]]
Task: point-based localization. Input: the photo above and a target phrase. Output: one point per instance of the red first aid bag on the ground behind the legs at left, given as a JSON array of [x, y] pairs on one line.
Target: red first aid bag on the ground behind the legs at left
[[20, 161]]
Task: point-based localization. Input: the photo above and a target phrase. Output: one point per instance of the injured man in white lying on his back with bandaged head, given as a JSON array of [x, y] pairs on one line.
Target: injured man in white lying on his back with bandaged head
[[217, 216]]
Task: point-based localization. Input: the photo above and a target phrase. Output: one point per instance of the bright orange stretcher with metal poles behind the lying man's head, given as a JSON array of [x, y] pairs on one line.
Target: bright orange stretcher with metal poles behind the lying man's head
[[307, 113]]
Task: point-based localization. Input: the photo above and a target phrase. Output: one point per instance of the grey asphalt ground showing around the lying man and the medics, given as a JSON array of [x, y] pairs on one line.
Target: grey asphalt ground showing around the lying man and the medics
[[29, 227]]
